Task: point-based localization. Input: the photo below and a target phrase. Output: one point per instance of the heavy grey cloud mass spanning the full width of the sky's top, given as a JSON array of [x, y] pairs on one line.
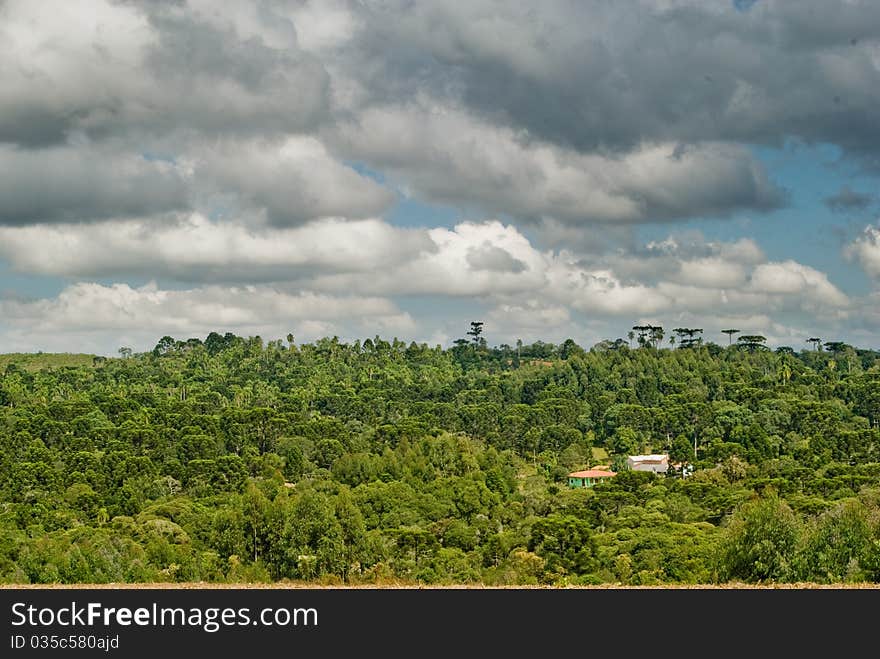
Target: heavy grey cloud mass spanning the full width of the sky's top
[[565, 113]]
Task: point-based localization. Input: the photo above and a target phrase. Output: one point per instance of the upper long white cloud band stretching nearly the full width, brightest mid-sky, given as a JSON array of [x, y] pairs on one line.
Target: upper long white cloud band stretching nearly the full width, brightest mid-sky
[[483, 260]]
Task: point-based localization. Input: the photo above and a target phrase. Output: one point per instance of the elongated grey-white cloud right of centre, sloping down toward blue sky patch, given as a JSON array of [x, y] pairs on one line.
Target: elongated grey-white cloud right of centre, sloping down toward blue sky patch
[[448, 156]]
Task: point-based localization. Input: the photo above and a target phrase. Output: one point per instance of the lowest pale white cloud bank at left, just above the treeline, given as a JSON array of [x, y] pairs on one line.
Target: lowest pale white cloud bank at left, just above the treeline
[[140, 314]]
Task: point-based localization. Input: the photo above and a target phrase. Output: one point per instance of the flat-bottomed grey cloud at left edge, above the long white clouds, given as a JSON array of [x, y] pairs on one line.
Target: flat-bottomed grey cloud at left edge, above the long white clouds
[[84, 184]]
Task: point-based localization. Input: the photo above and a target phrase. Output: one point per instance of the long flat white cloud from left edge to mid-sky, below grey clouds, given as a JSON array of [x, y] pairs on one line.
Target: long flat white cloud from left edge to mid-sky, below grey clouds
[[193, 248]]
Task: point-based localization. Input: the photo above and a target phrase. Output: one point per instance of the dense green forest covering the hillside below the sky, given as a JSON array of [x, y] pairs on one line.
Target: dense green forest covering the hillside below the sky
[[235, 460]]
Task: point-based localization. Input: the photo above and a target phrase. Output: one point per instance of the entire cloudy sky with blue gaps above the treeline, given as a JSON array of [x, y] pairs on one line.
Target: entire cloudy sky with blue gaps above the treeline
[[562, 169]]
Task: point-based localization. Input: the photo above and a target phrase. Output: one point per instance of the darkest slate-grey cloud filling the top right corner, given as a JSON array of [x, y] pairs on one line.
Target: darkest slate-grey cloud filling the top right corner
[[605, 75]]
